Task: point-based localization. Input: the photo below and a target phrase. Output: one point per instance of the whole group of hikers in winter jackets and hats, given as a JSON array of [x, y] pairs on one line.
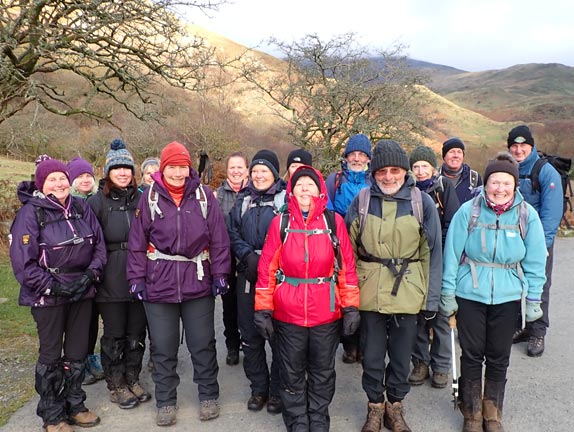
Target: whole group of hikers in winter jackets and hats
[[381, 256]]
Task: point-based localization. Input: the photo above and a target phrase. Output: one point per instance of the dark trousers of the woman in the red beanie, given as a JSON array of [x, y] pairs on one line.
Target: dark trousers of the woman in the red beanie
[[197, 317]]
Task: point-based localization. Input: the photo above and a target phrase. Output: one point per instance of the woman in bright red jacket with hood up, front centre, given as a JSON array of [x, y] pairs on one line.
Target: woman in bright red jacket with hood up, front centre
[[300, 299]]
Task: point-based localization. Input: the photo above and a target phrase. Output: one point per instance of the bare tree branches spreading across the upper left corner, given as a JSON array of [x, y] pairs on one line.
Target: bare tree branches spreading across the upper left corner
[[108, 49]]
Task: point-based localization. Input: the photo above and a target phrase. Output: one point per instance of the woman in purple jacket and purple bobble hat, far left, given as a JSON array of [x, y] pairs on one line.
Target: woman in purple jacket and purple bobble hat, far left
[[57, 254]]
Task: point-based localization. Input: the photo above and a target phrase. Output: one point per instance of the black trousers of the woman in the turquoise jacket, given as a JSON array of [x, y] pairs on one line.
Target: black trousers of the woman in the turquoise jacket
[[485, 336]]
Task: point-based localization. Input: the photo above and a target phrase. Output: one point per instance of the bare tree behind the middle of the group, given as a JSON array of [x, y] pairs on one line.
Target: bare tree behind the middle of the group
[[333, 89]]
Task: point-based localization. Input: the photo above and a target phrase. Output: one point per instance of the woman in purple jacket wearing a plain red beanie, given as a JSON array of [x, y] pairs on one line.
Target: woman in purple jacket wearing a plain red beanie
[[178, 260]]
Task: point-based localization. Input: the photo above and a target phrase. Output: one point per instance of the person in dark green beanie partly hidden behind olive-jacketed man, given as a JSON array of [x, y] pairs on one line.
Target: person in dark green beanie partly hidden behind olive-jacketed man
[[424, 166]]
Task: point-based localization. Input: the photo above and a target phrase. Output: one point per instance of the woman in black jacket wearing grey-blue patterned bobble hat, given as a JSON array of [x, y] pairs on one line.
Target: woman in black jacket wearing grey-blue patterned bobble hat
[[123, 341]]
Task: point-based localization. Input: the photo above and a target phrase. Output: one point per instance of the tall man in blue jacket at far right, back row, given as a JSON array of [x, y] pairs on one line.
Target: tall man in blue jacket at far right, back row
[[547, 200]]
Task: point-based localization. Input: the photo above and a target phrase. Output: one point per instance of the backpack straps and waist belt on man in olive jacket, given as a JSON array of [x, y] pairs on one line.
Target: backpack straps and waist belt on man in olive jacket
[[390, 263]]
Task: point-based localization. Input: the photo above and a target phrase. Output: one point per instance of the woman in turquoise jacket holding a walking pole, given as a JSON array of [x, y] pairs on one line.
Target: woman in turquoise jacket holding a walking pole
[[493, 259]]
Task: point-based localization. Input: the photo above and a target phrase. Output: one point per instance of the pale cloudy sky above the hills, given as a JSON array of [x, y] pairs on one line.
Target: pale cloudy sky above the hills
[[472, 35]]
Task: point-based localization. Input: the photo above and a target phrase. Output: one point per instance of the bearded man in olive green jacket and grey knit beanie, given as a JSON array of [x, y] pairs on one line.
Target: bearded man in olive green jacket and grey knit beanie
[[399, 265]]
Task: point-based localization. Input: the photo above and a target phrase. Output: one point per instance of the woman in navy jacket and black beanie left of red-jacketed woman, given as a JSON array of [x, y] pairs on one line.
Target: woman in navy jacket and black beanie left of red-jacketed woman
[[249, 221]]
